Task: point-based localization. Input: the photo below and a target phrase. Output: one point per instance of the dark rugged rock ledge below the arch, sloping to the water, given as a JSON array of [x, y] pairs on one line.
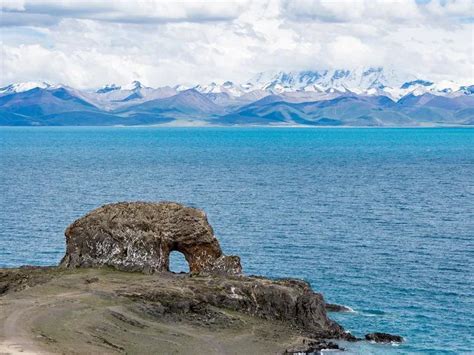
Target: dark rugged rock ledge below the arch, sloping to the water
[[289, 300]]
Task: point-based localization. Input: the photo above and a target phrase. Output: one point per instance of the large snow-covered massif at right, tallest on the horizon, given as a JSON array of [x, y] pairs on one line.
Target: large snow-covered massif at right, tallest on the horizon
[[371, 81]]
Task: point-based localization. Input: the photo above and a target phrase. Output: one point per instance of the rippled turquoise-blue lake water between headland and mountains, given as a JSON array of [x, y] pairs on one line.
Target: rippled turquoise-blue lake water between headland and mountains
[[381, 220]]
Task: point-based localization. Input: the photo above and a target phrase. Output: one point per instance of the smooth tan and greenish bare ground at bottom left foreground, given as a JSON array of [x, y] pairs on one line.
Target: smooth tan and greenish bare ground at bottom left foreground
[[73, 315]]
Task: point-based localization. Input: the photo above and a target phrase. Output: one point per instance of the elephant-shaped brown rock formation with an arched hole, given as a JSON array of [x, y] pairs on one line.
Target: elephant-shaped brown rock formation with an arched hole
[[139, 236]]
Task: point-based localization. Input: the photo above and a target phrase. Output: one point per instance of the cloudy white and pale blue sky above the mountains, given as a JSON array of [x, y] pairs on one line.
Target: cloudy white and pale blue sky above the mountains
[[89, 43]]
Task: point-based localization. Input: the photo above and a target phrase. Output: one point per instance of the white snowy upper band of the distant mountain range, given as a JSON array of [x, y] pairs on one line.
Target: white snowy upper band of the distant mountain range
[[296, 86]]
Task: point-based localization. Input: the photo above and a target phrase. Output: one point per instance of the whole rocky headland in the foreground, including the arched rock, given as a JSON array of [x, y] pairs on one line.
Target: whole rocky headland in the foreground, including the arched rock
[[113, 293]]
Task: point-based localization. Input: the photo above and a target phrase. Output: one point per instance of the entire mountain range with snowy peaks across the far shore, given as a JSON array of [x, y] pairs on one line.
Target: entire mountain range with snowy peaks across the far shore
[[363, 97]]
